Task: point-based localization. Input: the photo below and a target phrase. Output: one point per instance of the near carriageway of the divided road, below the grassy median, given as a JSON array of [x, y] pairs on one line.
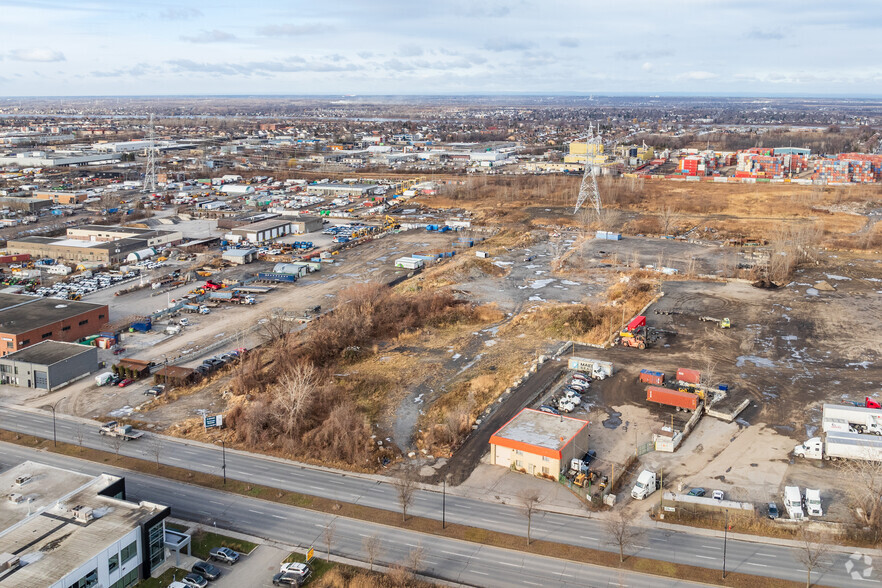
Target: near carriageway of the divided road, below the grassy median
[[446, 559]]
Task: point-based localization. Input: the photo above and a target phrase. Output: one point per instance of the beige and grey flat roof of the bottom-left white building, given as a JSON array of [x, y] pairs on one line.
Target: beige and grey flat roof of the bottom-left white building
[[41, 528]]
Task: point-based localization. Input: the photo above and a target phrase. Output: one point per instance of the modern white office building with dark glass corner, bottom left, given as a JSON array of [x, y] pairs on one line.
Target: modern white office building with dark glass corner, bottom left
[[64, 529]]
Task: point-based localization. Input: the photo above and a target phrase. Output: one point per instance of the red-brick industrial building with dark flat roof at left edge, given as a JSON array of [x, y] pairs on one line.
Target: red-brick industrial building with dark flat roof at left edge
[[26, 320]]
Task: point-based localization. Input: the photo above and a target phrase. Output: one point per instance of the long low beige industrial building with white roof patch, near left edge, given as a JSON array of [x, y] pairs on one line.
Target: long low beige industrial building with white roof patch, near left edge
[[76, 249]]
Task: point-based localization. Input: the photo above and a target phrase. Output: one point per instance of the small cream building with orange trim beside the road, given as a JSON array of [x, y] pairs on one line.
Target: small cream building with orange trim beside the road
[[539, 443]]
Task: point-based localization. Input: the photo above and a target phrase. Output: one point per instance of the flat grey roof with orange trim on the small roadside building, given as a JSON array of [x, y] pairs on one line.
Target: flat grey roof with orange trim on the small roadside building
[[538, 432]]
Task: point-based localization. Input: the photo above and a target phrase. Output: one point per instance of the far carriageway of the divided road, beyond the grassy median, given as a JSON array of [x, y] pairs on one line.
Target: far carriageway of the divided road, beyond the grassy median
[[674, 546]]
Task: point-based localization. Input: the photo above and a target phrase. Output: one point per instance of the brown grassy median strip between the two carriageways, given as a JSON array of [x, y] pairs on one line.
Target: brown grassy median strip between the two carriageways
[[413, 523]]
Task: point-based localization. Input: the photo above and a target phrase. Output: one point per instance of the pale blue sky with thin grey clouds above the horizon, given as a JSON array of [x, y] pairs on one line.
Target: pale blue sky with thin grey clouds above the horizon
[[97, 47]]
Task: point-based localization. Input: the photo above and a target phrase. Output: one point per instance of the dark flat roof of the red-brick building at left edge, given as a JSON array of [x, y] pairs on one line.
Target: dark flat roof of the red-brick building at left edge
[[19, 313]]
